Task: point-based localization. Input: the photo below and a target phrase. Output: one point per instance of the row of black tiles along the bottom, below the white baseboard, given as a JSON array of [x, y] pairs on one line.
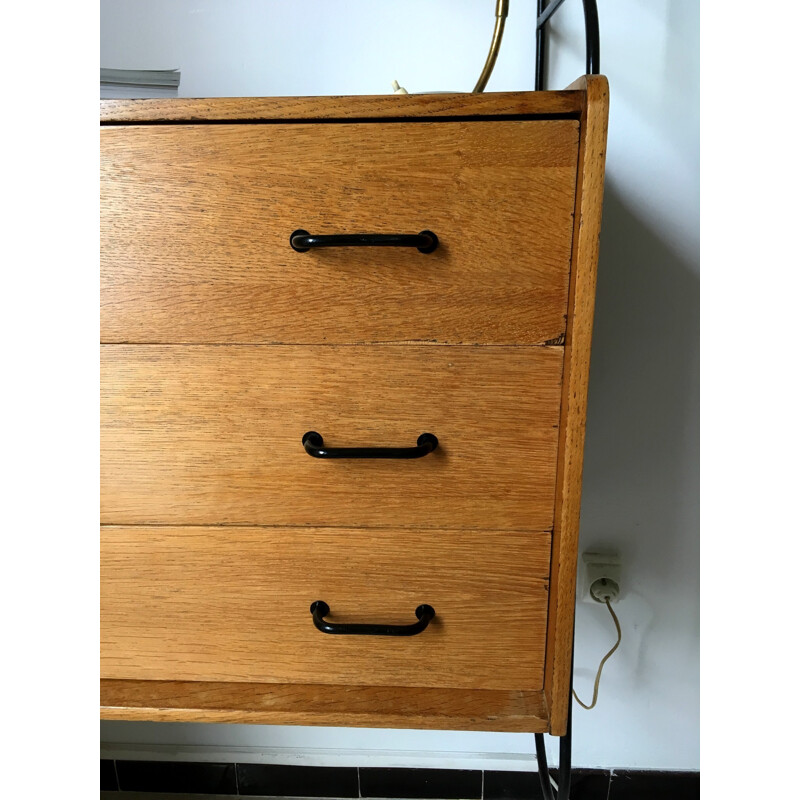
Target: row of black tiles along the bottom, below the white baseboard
[[160, 780]]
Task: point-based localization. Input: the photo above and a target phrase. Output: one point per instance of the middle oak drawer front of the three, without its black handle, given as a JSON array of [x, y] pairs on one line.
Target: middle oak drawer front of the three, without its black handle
[[195, 434]]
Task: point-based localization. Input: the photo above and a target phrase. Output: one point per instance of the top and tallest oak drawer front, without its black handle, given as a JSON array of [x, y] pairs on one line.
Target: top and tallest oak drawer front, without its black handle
[[196, 220]]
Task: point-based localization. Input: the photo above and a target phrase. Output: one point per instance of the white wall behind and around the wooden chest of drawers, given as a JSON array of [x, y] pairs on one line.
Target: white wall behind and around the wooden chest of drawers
[[642, 451]]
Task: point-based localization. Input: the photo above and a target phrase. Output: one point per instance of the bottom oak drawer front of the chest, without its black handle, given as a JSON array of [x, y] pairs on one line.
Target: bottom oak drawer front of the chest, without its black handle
[[232, 604]]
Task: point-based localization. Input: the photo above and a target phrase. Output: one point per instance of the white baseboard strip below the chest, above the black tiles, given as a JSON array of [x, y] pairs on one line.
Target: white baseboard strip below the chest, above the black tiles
[[319, 757]]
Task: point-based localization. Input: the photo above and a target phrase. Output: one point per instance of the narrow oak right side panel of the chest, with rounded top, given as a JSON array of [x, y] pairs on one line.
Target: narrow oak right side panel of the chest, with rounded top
[[589, 200]]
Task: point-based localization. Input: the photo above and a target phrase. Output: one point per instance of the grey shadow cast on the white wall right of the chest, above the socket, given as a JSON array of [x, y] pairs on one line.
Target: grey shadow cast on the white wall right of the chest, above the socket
[[640, 489]]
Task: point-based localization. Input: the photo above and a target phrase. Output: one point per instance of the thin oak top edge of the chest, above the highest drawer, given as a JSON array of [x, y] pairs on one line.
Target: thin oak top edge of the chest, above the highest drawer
[[229, 109]]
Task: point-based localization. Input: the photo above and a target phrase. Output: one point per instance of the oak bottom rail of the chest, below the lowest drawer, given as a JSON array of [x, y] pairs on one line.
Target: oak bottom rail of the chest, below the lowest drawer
[[305, 704]]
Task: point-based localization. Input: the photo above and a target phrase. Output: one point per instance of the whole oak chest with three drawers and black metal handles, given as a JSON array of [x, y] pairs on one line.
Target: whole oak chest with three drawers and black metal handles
[[340, 484]]
